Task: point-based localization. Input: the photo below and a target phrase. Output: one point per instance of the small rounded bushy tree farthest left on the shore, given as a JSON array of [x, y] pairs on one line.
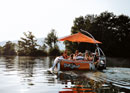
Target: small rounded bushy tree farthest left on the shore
[[9, 48]]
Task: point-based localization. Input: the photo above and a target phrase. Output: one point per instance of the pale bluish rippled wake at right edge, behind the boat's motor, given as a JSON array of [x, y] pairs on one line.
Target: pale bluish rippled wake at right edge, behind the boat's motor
[[118, 76]]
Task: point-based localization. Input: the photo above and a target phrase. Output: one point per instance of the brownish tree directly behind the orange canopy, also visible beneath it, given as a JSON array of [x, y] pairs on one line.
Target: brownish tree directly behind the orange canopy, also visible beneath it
[[84, 23]]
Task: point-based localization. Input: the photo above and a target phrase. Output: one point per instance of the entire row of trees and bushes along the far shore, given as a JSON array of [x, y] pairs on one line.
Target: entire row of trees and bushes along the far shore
[[112, 30]]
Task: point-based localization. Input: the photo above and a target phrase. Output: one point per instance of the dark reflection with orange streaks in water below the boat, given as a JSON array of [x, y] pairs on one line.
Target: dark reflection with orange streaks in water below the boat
[[79, 83]]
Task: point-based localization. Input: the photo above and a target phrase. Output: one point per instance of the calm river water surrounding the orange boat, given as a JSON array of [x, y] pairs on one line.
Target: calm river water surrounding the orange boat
[[29, 75]]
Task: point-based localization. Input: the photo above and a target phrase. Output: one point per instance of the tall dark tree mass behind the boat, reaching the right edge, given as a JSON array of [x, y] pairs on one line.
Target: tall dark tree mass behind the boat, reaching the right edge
[[113, 31]]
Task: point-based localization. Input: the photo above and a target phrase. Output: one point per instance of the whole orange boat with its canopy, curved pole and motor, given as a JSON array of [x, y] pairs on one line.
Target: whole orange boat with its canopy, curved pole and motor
[[65, 64]]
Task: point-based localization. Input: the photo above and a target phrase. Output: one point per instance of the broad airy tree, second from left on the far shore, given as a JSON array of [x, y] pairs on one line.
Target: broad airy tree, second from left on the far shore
[[27, 45]]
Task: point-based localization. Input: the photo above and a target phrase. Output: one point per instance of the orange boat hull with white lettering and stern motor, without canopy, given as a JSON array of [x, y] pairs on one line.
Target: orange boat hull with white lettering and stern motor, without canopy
[[65, 64]]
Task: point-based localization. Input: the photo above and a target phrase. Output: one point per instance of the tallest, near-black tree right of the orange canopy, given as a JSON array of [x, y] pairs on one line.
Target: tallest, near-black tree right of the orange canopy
[[113, 31]]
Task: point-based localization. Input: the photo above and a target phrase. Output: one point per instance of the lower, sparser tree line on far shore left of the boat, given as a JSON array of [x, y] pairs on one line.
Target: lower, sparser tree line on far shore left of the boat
[[27, 46]]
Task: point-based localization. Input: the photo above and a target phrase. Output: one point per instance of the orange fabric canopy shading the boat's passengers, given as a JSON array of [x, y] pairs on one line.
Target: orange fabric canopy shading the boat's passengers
[[79, 37]]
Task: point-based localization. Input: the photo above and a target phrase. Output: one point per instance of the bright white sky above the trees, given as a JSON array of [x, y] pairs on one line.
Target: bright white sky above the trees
[[40, 16]]
